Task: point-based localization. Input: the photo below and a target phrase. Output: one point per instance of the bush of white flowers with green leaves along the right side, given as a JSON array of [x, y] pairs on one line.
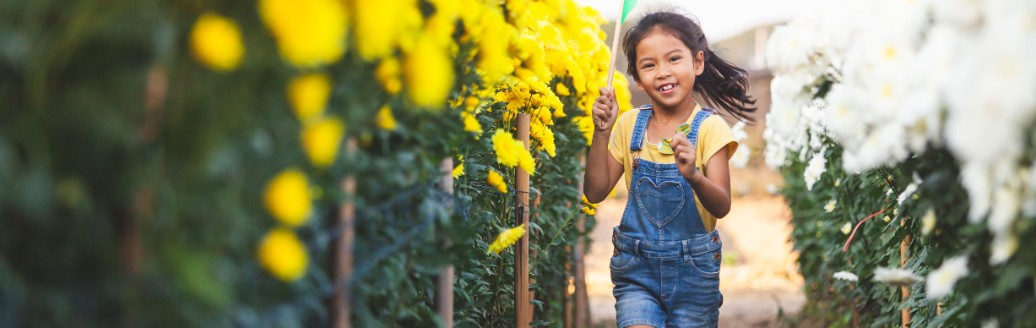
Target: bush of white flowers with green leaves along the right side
[[916, 117]]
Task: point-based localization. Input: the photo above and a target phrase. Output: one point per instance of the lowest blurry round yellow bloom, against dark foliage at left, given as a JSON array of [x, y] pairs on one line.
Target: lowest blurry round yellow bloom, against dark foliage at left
[[283, 255]]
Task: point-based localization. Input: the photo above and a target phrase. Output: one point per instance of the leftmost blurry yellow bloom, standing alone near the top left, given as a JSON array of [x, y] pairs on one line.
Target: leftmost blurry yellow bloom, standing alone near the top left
[[216, 42]]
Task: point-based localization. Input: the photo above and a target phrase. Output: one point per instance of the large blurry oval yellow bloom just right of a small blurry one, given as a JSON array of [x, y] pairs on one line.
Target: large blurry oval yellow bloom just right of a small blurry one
[[429, 75]]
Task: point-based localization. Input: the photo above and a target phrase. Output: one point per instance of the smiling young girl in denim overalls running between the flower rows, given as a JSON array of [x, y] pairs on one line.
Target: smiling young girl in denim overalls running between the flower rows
[[667, 260]]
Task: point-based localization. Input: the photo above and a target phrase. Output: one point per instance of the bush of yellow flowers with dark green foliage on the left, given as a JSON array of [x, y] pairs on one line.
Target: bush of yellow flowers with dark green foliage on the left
[[183, 164]]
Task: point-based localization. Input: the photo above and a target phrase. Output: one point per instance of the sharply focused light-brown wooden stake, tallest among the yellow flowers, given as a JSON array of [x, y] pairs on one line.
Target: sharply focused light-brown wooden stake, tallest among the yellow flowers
[[522, 252]]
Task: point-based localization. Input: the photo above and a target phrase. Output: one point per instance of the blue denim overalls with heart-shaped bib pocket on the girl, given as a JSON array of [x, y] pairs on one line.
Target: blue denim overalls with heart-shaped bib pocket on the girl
[[666, 266]]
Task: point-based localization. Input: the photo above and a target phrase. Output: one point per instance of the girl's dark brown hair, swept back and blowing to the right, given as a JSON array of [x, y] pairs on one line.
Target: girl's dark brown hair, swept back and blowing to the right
[[723, 84]]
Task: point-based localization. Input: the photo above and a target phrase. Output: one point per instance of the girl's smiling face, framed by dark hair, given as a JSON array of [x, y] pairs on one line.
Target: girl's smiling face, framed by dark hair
[[668, 69]]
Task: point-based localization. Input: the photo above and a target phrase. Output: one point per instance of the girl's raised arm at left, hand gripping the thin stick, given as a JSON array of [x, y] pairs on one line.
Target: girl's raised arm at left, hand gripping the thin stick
[[602, 170]]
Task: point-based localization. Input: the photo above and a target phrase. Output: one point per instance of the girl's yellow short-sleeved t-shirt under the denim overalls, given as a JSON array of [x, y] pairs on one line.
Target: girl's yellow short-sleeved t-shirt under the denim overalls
[[713, 136]]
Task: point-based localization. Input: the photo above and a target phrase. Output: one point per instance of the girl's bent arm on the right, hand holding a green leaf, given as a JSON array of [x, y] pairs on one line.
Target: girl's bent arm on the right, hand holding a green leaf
[[713, 191]]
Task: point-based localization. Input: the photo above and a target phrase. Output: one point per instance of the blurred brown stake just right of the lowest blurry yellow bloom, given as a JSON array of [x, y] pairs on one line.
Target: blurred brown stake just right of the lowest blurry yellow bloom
[[343, 270]]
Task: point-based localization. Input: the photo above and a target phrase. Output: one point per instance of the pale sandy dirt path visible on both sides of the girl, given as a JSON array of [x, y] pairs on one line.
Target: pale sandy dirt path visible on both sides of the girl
[[759, 275]]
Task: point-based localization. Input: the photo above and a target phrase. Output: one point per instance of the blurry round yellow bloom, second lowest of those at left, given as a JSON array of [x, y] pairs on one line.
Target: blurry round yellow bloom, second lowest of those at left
[[287, 198]]
